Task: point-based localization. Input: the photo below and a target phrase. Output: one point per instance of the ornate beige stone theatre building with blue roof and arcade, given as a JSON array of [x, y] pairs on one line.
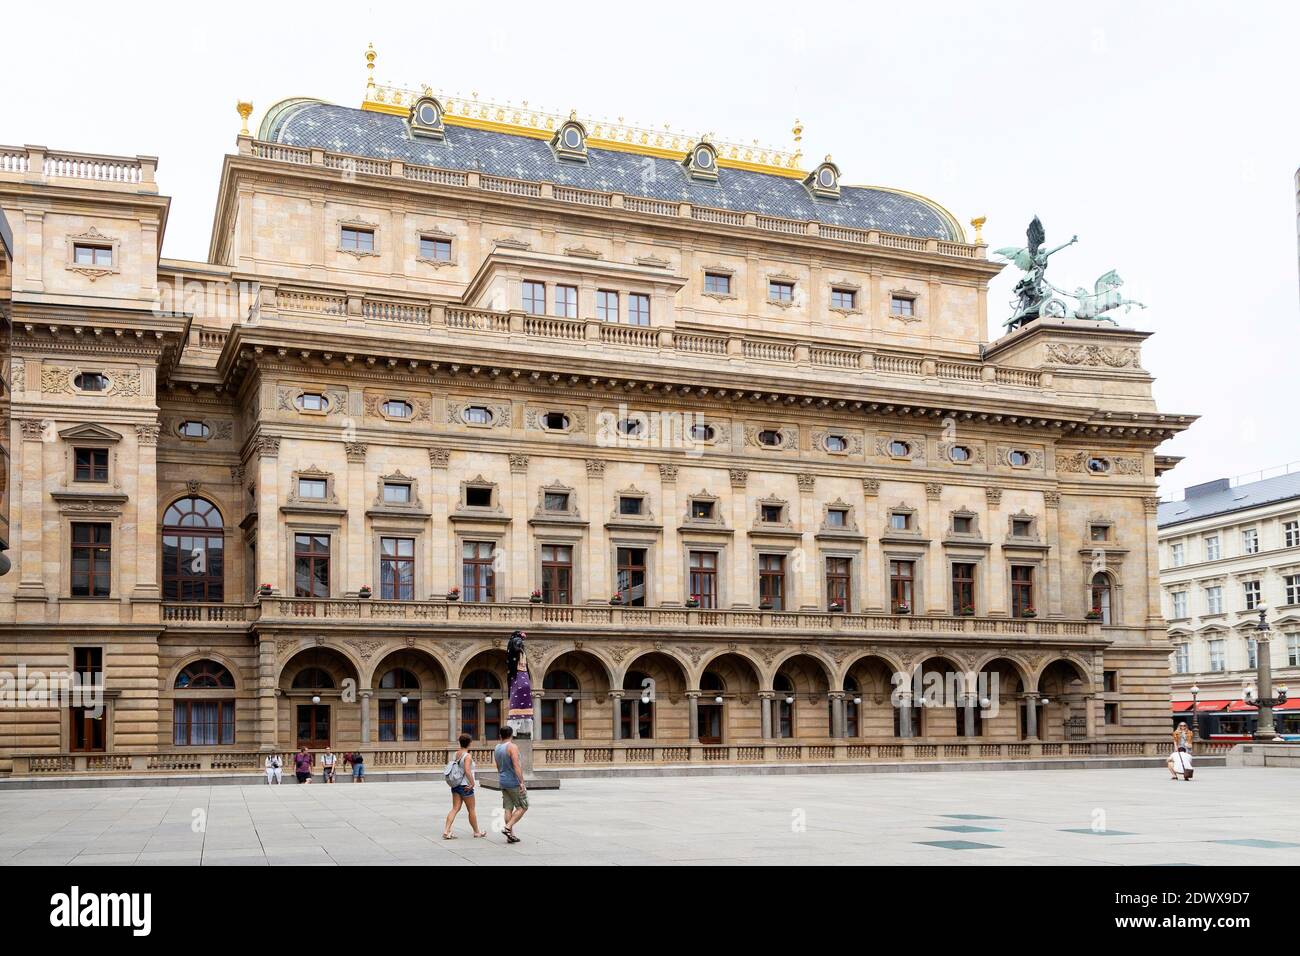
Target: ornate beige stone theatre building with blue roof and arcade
[[723, 435]]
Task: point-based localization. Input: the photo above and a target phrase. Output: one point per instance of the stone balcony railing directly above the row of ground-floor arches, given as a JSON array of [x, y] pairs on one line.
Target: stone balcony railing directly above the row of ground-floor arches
[[616, 617]]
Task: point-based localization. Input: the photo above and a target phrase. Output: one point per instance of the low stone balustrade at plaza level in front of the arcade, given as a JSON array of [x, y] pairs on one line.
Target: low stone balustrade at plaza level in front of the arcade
[[551, 755]]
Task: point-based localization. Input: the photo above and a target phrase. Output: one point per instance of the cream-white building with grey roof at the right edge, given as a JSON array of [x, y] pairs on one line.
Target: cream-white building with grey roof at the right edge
[[1227, 552]]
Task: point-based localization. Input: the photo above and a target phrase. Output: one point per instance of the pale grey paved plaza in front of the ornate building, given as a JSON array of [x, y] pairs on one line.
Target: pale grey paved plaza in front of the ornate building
[[1076, 817]]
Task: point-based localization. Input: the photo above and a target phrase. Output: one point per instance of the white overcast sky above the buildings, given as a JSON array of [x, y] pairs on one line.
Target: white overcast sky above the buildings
[[1163, 133]]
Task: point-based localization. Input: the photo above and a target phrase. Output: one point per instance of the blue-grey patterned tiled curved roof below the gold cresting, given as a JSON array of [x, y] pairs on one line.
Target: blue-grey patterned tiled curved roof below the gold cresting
[[383, 136]]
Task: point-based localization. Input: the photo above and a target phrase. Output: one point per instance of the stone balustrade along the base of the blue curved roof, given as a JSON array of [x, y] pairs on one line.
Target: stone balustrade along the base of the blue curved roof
[[367, 166]]
